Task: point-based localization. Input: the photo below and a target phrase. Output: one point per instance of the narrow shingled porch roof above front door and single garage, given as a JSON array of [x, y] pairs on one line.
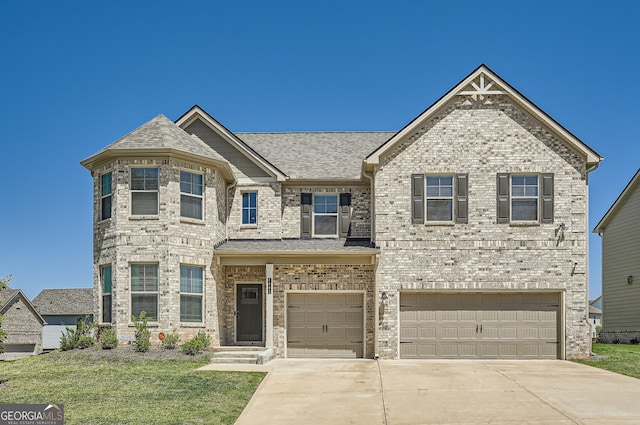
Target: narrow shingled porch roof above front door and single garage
[[283, 246]]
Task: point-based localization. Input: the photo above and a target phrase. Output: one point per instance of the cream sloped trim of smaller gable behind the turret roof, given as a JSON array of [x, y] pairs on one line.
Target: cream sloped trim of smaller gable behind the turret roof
[[196, 112]]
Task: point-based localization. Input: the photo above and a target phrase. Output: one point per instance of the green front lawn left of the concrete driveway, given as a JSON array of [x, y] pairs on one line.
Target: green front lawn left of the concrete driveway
[[116, 390]]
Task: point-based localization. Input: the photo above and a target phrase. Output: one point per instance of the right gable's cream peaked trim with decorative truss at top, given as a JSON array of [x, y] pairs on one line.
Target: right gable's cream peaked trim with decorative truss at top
[[480, 83]]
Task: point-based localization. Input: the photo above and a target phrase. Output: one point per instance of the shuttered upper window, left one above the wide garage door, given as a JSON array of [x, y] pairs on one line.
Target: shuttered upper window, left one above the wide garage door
[[439, 198]]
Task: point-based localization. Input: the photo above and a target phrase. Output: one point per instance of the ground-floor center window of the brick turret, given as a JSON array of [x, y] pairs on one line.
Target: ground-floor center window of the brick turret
[[144, 290]]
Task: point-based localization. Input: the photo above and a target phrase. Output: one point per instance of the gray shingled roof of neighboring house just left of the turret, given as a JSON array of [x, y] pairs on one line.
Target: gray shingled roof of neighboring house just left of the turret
[[64, 302]]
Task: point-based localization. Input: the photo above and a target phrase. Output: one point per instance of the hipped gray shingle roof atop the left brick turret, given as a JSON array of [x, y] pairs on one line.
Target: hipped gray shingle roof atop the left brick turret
[[160, 136]]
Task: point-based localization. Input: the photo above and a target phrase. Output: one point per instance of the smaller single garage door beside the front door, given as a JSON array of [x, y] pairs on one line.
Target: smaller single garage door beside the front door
[[325, 325]]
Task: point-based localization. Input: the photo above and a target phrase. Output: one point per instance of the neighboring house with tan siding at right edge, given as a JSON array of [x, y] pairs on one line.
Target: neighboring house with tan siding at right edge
[[620, 233]]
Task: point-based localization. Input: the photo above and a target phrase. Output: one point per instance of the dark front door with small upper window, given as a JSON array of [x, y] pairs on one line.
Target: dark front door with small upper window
[[249, 312]]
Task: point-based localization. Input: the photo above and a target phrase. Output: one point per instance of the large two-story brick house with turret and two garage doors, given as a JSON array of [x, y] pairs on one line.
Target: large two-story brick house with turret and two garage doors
[[464, 234]]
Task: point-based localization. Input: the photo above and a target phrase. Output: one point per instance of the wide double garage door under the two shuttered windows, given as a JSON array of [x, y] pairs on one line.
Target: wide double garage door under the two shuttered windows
[[479, 325]]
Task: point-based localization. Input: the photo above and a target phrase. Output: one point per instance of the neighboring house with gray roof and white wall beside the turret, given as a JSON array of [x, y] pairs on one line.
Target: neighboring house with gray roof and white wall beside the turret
[[61, 308]]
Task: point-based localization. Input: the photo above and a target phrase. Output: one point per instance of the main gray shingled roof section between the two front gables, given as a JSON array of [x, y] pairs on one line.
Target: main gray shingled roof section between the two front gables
[[317, 156]]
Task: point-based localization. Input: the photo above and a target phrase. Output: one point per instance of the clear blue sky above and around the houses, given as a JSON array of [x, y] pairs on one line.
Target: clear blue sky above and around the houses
[[76, 76]]
